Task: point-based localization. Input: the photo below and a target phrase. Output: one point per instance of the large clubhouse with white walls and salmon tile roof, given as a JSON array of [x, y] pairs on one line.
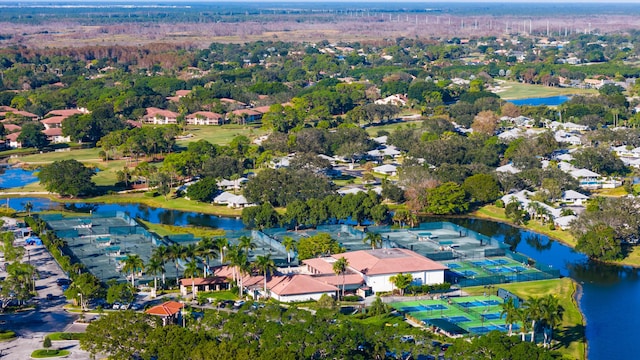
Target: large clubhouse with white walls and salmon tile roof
[[377, 266]]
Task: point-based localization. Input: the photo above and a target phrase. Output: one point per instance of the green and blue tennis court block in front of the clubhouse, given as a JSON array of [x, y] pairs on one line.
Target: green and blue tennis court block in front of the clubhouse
[[475, 314]]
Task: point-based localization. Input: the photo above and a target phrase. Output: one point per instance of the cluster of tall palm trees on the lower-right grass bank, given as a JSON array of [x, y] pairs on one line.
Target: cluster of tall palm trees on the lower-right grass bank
[[543, 313]]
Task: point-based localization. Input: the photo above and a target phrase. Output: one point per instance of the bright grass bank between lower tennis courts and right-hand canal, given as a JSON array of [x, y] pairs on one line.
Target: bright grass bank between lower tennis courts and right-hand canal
[[570, 333]]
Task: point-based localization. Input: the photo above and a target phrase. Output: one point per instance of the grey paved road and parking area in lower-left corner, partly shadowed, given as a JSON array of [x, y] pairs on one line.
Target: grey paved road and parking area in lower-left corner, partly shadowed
[[49, 315]]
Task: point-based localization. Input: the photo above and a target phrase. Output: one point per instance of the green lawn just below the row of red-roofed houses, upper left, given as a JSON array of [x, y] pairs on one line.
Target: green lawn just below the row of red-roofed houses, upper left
[[221, 135]]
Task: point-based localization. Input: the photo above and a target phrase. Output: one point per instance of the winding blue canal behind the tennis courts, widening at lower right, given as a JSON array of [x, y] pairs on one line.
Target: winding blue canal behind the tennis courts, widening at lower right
[[608, 297]]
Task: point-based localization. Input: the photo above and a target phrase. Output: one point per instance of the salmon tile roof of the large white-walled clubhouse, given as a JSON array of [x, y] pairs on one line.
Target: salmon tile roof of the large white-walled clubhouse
[[388, 261]]
